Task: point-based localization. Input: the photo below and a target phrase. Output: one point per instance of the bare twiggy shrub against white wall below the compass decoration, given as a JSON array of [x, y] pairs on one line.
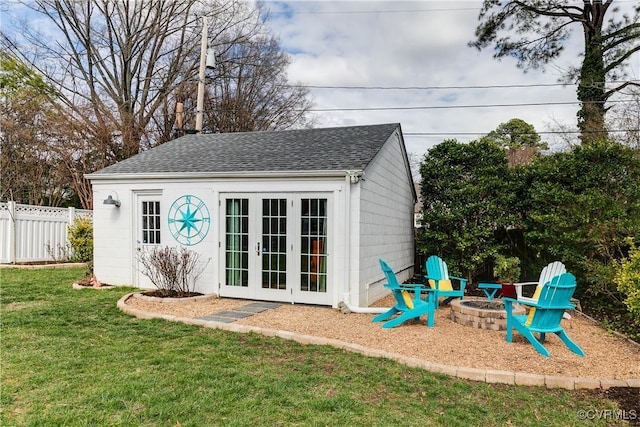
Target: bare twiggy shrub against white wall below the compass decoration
[[172, 271]]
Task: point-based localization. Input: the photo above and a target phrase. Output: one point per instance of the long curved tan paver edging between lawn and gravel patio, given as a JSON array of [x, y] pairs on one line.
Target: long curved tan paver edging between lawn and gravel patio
[[485, 375]]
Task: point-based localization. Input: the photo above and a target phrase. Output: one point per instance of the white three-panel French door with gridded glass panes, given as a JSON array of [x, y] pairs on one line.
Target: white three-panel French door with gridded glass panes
[[274, 247]]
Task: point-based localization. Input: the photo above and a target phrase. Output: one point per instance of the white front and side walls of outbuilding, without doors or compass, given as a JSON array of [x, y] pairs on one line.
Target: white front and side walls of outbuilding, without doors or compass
[[371, 219]]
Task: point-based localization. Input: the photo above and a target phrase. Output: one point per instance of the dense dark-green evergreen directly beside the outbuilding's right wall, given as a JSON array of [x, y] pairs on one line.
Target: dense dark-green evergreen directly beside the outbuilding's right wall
[[465, 201]]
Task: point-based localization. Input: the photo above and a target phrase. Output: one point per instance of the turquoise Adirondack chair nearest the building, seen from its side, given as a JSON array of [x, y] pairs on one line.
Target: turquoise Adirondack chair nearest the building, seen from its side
[[409, 303]]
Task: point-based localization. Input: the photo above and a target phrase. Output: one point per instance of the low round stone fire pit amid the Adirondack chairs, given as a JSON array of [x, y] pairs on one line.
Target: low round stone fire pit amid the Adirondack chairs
[[482, 313]]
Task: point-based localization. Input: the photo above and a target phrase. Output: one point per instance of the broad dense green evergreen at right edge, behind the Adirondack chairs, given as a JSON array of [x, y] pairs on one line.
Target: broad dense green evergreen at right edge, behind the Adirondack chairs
[[582, 205]]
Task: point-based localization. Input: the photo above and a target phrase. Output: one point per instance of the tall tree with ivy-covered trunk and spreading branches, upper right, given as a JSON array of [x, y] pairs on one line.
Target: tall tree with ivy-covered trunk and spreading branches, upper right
[[535, 32]]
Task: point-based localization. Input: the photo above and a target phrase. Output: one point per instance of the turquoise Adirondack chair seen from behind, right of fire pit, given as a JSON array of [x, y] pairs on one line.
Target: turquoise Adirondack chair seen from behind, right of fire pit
[[545, 314]]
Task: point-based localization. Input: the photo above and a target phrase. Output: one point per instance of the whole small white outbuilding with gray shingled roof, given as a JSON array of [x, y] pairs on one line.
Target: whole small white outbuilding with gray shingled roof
[[299, 216]]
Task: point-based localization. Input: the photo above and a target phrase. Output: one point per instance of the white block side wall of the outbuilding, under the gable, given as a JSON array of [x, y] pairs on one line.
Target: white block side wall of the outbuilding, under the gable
[[386, 220]]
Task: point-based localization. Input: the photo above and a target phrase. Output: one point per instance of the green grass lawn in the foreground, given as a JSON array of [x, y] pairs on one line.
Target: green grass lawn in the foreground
[[70, 357]]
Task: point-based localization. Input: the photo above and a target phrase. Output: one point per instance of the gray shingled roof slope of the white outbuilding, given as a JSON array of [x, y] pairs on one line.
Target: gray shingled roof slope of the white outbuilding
[[328, 149]]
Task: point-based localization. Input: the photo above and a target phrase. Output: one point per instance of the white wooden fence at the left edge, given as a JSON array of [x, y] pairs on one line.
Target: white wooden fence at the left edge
[[35, 233]]
